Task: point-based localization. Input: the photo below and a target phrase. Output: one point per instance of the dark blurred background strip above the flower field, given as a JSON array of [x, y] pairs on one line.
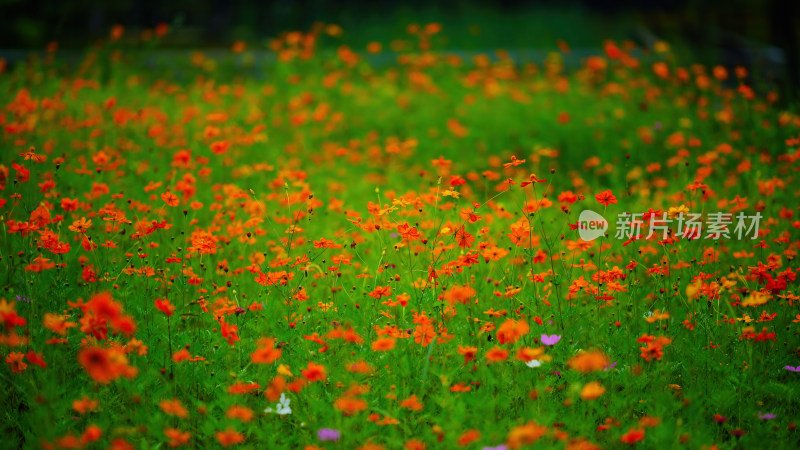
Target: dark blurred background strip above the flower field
[[728, 32]]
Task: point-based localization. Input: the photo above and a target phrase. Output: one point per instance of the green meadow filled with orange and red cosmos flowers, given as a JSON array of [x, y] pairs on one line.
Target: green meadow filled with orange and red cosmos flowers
[[385, 248]]
